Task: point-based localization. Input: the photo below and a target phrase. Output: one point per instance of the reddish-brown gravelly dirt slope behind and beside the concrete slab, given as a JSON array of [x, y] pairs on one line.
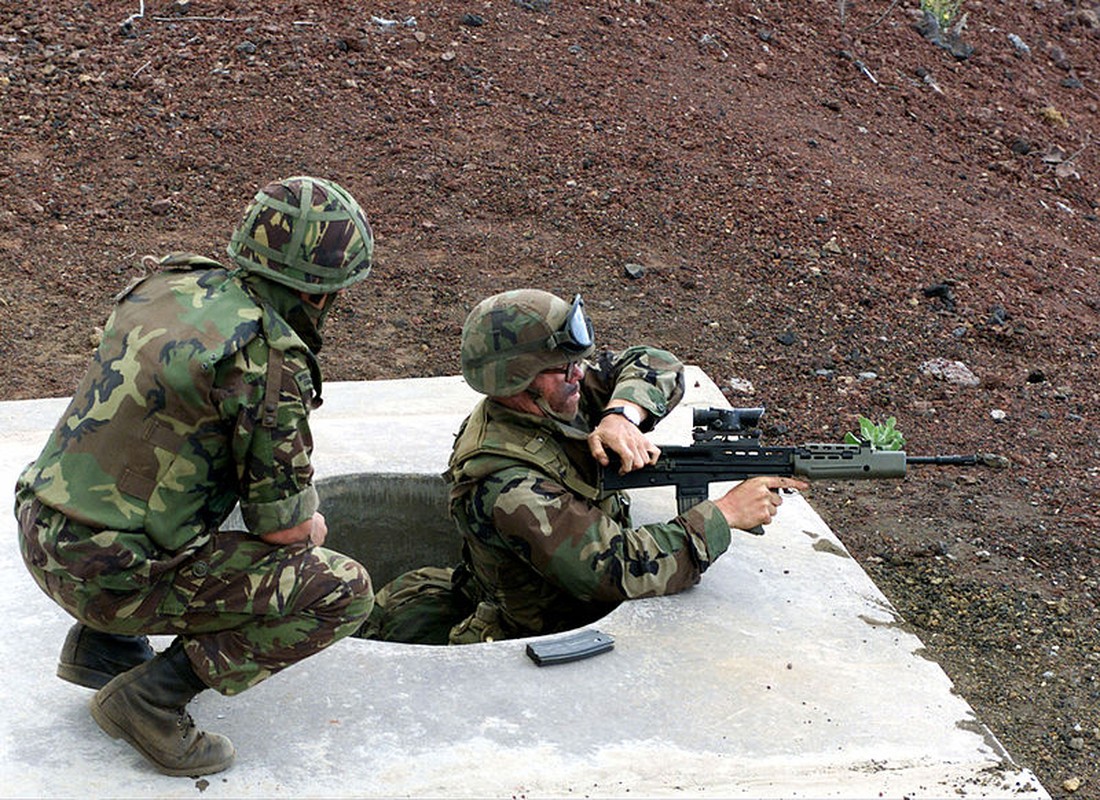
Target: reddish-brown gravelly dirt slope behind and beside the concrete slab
[[805, 195]]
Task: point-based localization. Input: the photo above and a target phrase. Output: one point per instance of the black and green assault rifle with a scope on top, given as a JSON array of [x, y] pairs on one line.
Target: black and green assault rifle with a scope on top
[[728, 447]]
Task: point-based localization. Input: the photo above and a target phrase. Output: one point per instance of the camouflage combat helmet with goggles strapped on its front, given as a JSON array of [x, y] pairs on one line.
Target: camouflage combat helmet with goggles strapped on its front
[[512, 337]]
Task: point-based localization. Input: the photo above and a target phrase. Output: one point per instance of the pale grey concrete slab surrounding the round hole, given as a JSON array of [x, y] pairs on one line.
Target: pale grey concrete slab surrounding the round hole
[[786, 674]]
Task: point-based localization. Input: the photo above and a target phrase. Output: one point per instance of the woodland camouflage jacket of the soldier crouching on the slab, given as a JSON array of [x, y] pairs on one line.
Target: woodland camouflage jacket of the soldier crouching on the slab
[[199, 397]]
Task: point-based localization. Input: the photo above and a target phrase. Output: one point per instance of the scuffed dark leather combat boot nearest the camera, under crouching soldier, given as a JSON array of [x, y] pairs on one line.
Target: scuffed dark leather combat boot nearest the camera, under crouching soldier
[[148, 708]]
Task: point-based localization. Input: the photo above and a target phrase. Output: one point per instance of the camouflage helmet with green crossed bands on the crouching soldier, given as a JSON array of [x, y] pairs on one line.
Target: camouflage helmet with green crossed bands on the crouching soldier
[[307, 234]]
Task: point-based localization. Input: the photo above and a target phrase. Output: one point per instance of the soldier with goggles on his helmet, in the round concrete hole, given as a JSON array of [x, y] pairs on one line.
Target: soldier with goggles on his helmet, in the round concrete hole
[[545, 550]]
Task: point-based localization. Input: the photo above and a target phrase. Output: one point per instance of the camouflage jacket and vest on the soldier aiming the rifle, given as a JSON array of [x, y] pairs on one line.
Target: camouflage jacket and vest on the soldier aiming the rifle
[[546, 549]]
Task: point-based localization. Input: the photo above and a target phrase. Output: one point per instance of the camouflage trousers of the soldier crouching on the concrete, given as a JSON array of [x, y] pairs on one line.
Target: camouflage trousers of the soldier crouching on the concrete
[[244, 609]]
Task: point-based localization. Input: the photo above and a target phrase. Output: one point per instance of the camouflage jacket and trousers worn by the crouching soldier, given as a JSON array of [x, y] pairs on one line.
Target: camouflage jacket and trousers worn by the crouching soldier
[[199, 397]]
